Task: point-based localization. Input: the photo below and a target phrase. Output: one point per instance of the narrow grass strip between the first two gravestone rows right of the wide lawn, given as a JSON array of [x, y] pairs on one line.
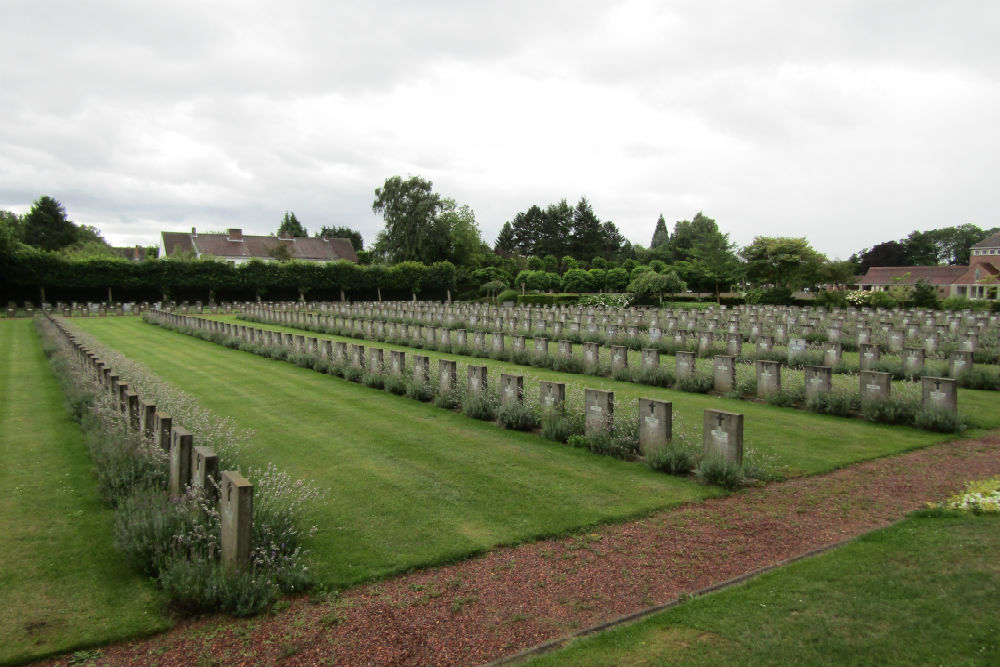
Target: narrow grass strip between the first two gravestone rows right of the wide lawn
[[806, 442]]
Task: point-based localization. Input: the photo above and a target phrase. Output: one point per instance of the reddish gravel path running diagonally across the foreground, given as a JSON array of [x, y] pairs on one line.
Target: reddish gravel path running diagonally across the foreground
[[514, 598]]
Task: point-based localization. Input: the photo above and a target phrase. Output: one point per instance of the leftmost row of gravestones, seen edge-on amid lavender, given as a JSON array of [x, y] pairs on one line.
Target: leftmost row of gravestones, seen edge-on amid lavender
[[191, 466]]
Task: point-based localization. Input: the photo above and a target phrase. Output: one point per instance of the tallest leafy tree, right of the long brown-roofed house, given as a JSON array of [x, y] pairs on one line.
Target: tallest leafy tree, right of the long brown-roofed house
[[413, 230]]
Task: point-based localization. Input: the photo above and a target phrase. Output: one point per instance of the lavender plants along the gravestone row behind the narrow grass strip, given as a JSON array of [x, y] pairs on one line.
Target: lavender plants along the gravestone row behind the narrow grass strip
[[843, 400]]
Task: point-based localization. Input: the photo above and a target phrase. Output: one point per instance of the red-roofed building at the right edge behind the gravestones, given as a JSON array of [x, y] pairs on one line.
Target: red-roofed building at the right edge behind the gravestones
[[979, 280]]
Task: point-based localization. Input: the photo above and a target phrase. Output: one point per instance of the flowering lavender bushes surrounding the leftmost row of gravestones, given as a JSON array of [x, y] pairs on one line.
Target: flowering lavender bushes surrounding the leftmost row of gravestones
[[174, 532]]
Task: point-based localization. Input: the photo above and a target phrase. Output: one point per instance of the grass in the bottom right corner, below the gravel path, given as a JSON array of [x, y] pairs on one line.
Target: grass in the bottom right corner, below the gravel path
[[922, 592]]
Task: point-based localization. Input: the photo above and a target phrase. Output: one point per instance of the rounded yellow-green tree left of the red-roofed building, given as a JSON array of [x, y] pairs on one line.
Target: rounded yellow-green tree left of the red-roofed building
[[783, 262]]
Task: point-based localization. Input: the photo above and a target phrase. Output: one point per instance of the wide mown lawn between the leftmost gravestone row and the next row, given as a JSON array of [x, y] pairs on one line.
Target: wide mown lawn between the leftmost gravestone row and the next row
[[409, 484]]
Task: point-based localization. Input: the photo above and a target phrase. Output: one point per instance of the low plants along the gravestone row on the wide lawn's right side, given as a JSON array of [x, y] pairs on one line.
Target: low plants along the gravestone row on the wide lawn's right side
[[449, 386]]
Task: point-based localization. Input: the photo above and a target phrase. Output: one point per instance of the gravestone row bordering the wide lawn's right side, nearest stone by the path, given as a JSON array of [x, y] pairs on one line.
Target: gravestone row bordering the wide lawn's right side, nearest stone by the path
[[723, 434]]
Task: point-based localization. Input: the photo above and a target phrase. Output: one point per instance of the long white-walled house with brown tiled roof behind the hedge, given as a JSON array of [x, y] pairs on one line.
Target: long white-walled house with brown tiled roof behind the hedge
[[236, 248]]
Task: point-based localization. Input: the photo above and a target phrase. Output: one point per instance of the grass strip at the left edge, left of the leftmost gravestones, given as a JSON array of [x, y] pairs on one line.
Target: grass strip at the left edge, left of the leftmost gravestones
[[64, 586]]
